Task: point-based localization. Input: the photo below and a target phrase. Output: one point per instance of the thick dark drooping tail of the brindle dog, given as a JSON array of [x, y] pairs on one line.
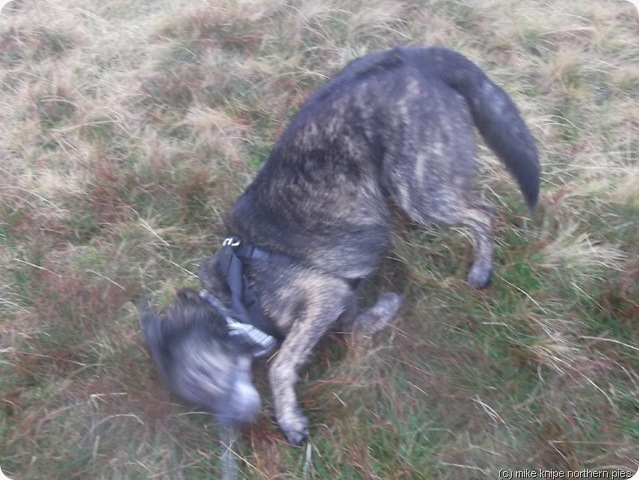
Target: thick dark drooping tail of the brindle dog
[[494, 113]]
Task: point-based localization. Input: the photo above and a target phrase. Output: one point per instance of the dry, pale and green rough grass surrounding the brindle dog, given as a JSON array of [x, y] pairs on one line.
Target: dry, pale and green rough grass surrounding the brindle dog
[[129, 128]]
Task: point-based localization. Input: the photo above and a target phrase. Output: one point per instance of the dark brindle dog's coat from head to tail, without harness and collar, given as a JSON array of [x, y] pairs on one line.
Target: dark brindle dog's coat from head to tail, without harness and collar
[[393, 126]]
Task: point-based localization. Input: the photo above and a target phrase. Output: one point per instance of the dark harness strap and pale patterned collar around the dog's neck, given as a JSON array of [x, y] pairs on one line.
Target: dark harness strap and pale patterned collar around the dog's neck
[[245, 319]]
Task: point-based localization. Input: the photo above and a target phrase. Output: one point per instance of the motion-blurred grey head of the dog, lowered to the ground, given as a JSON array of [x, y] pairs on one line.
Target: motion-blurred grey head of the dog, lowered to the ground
[[195, 353]]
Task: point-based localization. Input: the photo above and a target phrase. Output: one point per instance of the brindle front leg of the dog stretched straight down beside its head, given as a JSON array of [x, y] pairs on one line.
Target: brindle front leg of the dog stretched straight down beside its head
[[317, 318]]
